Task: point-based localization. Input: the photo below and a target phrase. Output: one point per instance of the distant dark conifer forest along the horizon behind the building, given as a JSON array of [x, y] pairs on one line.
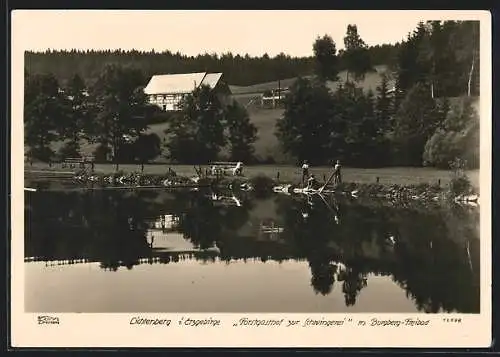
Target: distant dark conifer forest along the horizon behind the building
[[238, 70]]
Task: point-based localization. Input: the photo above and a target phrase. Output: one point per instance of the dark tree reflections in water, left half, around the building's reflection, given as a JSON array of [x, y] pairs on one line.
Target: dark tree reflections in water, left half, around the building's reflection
[[111, 226]]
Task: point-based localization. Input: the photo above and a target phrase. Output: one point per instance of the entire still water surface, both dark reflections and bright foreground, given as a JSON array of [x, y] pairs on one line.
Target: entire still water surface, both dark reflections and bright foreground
[[158, 251]]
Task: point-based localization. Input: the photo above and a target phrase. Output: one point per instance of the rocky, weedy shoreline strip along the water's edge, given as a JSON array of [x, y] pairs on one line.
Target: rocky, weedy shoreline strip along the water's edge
[[260, 184]]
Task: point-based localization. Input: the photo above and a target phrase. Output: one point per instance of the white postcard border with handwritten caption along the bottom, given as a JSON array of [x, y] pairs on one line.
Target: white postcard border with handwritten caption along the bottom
[[115, 330]]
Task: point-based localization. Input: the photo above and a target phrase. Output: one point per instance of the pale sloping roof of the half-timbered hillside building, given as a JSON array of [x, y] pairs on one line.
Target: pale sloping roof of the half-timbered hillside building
[[180, 83]]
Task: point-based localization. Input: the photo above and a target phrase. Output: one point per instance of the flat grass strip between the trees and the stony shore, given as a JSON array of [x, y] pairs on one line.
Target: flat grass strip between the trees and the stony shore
[[393, 175]]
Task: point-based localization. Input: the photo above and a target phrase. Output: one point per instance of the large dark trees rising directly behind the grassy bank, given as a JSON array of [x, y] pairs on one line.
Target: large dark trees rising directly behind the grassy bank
[[416, 124]]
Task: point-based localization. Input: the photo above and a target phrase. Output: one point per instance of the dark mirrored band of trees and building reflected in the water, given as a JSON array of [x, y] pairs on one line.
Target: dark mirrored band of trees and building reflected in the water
[[430, 253]]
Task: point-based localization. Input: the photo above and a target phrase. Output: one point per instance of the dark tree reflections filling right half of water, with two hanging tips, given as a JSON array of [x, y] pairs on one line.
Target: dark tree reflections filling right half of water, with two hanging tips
[[426, 254]]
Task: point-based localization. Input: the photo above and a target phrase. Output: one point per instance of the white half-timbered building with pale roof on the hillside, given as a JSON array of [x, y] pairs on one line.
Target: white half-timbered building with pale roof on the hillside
[[168, 90]]
